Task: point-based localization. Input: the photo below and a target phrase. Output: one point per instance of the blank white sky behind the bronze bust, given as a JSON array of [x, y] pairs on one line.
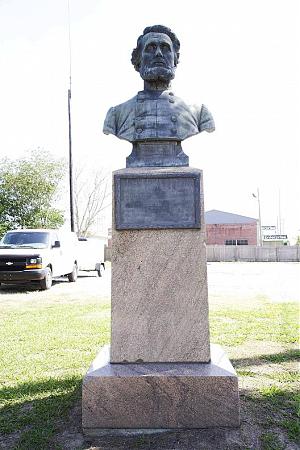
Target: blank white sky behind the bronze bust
[[239, 57]]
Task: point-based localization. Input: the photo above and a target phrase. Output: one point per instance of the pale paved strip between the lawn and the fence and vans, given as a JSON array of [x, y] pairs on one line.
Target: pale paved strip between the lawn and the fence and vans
[[278, 282]]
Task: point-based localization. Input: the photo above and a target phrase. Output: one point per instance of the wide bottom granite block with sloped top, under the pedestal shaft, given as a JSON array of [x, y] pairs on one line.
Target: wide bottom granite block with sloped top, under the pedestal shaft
[[159, 395]]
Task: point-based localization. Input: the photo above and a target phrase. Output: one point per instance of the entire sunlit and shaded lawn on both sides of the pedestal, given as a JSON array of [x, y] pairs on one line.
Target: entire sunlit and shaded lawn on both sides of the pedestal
[[47, 344]]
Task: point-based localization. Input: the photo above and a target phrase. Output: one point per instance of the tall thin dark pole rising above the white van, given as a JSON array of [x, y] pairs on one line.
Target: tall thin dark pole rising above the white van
[[70, 130]]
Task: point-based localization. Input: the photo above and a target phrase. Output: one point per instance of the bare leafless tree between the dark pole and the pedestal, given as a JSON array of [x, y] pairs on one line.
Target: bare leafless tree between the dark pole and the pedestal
[[91, 196]]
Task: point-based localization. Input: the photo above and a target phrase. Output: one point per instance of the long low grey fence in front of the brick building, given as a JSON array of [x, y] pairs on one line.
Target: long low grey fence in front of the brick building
[[253, 253]]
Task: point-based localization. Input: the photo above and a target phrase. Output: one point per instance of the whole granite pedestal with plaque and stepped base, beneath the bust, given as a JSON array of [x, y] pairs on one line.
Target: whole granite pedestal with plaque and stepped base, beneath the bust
[[160, 371]]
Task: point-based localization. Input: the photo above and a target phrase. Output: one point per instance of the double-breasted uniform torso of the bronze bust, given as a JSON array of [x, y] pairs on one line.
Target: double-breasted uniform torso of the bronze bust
[[157, 115]]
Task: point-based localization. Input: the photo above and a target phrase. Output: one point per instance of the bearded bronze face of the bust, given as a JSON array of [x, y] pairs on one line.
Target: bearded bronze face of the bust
[[157, 58]]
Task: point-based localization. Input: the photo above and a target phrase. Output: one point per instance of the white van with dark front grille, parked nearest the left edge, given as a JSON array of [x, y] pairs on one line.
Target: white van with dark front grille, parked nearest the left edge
[[38, 255]]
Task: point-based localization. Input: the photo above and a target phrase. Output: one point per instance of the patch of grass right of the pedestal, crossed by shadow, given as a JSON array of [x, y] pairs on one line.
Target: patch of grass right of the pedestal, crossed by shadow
[[273, 391]]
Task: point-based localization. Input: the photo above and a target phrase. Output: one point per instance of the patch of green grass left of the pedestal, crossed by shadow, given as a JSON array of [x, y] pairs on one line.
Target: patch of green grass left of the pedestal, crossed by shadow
[[45, 350]]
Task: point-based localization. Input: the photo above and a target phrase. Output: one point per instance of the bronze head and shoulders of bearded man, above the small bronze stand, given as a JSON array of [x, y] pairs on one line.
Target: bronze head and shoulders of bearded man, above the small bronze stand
[[156, 114]]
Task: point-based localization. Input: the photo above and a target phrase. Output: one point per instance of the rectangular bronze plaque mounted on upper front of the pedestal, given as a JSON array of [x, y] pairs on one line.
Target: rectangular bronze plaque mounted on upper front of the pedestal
[[157, 201]]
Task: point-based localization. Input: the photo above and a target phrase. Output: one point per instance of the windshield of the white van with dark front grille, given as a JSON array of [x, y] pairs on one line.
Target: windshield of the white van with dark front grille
[[32, 239]]
